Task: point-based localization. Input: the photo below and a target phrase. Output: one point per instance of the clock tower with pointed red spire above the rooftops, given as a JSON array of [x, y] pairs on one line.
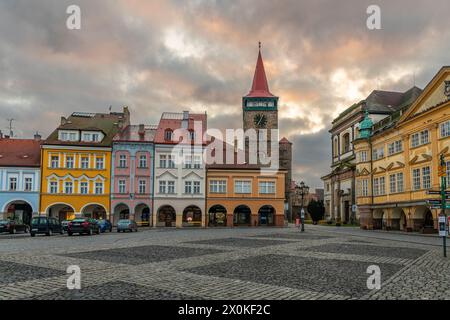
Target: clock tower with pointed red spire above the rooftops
[[260, 106]]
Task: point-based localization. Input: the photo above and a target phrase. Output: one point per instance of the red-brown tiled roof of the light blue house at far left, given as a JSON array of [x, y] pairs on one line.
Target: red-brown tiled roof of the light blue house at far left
[[20, 152]]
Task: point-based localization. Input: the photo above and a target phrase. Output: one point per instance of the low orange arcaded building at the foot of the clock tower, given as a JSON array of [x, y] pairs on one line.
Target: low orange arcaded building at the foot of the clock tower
[[239, 195]]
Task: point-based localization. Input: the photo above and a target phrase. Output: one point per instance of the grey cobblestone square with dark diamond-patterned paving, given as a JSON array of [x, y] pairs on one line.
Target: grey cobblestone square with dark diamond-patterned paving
[[225, 264]]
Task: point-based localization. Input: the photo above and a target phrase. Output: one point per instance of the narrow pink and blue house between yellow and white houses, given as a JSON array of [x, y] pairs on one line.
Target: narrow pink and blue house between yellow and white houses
[[132, 174]]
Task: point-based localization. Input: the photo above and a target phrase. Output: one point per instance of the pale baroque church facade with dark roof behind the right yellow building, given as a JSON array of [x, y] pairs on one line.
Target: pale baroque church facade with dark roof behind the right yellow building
[[339, 184]]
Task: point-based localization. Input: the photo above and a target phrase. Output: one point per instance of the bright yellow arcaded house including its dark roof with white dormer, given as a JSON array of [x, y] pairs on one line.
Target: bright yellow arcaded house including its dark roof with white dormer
[[76, 165]]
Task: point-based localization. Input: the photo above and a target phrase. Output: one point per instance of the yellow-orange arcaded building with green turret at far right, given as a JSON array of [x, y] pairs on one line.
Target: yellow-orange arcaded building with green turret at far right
[[397, 161]]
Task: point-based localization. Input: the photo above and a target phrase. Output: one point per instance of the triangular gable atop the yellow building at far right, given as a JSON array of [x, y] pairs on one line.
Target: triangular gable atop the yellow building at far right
[[433, 95]]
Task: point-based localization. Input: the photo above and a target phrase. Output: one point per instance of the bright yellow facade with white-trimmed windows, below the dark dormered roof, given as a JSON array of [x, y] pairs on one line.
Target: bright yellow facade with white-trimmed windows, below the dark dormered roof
[[78, 188]]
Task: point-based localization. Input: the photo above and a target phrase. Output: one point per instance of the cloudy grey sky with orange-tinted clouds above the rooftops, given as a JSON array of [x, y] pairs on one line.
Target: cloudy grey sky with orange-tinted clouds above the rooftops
[[200, 55]]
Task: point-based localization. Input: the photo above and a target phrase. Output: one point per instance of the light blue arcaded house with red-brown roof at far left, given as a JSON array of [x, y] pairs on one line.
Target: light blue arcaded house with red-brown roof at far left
[[20, 161]]
